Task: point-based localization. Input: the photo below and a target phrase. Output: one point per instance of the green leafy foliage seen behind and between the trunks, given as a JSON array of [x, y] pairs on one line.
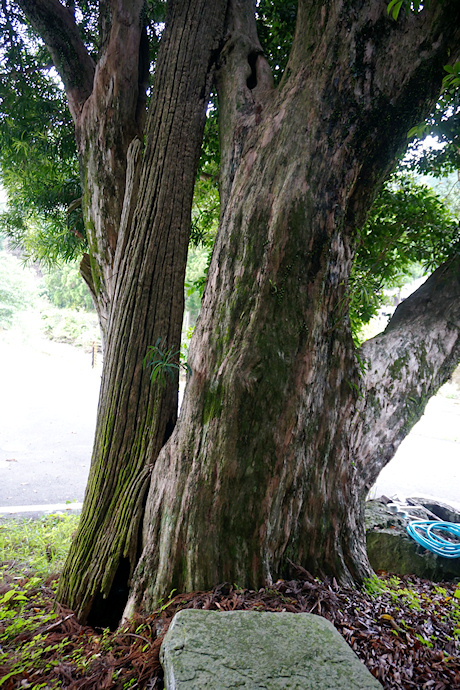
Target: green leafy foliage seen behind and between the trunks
[[39, 164]]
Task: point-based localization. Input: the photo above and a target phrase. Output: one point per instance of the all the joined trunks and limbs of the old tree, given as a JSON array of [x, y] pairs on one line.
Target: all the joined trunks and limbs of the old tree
[[275, 446]]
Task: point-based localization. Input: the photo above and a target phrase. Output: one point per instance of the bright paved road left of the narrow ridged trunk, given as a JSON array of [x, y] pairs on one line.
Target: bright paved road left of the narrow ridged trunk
[[48, 405]]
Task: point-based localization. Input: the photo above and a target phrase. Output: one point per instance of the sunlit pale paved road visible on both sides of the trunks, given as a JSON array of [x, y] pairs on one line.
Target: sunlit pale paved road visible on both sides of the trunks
[[48, 404]]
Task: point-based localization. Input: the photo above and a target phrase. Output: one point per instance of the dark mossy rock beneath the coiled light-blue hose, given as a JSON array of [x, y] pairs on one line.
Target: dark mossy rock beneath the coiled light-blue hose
[[390, 548]]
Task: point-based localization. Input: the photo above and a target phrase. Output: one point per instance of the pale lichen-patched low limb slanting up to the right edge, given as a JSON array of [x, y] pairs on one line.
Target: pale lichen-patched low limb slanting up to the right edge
[[405, 366]]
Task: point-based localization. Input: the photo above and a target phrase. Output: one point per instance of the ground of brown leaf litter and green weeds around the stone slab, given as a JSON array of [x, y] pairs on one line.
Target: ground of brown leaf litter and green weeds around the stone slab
[[405, 630]]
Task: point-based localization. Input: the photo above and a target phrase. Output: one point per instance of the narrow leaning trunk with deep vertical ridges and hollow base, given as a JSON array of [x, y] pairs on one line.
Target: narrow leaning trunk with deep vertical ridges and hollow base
[[135, 417]]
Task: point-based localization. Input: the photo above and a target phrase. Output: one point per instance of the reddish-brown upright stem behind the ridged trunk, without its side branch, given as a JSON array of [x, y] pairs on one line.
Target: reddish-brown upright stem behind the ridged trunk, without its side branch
[[109, 121]]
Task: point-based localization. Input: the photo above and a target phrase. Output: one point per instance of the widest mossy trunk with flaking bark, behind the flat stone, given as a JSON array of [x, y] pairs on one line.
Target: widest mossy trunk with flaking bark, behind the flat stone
[[265, 467]]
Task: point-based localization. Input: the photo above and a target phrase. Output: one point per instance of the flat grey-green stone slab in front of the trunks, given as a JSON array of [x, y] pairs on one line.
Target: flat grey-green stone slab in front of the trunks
[[255, 650]]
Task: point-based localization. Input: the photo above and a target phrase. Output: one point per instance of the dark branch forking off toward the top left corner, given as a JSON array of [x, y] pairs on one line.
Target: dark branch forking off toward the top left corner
[[56, 25]]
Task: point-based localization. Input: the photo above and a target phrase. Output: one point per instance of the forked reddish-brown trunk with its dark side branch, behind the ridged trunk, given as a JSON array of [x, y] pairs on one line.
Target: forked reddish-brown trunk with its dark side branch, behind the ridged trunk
[[107, 102]]
